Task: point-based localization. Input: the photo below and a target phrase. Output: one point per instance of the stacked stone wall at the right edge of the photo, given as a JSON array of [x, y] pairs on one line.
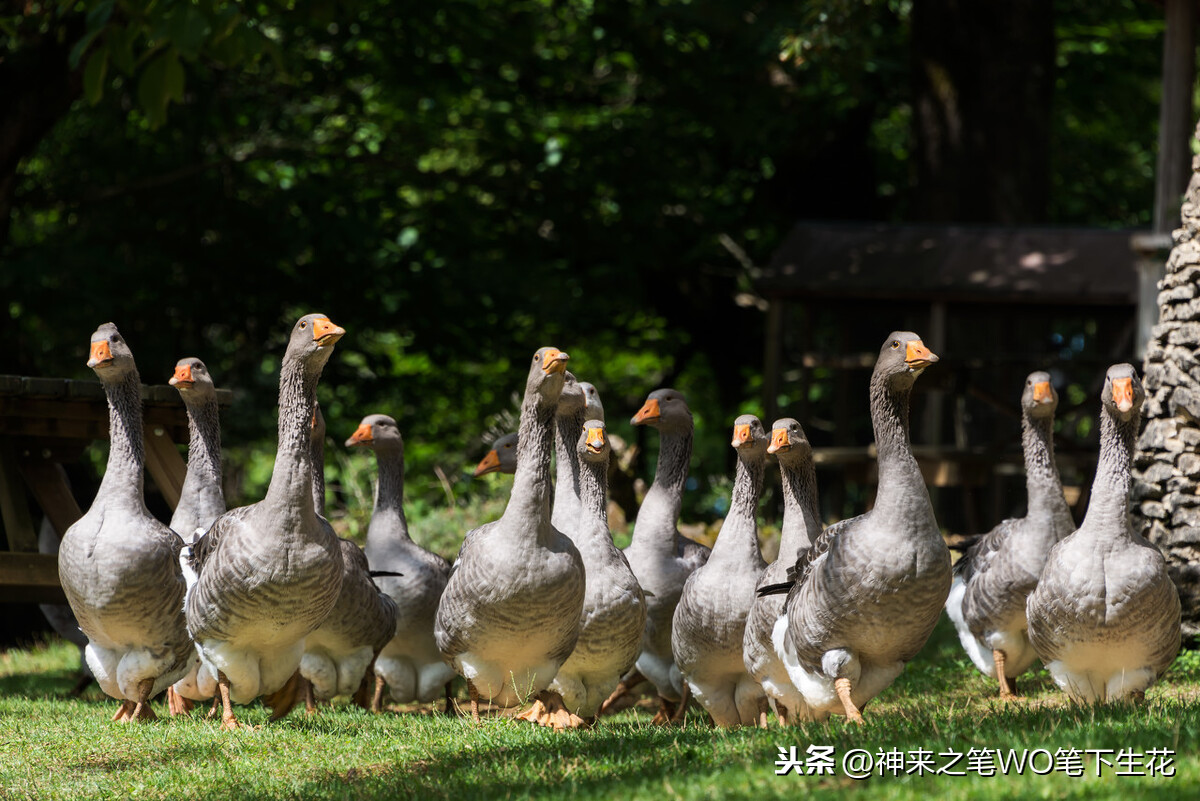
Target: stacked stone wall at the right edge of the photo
[[1167, 467]]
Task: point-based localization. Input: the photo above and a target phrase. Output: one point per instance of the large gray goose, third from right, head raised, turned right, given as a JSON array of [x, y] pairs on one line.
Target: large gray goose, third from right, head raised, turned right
[[868, 594]]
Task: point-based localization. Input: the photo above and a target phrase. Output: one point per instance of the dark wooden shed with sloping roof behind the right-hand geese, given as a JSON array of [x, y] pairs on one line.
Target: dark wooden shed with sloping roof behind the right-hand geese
[[995, 304]]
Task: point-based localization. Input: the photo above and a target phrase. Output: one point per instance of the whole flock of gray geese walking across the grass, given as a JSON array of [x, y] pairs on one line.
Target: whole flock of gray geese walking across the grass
[[266, 601]]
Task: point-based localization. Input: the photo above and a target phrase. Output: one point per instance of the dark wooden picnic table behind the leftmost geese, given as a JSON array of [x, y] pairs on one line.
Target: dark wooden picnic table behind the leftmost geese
[[46, 423]]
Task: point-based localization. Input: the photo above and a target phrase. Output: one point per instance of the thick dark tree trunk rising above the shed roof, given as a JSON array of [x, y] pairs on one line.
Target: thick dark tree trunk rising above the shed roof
[[983, 82]]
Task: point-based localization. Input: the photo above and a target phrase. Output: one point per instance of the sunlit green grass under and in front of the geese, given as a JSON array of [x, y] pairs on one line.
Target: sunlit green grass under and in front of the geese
[[67, 749]]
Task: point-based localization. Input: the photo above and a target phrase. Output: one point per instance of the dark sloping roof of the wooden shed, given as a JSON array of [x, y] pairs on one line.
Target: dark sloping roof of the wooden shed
[[1078, 267]]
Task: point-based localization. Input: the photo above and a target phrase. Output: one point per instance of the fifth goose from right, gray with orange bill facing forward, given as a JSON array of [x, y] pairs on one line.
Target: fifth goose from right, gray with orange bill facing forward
[[710, 621]]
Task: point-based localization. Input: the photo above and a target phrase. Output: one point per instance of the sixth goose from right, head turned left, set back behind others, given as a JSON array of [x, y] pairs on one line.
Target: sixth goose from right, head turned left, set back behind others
[[662, 558]]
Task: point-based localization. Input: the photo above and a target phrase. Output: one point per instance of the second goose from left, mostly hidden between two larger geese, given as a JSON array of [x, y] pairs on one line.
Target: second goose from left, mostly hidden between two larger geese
[[201, 502]]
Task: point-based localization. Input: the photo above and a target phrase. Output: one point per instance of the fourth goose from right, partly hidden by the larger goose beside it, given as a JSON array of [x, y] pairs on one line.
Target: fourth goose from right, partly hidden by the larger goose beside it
[[801, 528]]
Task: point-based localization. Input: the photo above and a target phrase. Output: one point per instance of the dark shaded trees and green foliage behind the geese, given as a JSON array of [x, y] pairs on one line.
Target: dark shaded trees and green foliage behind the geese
[[461, 183]]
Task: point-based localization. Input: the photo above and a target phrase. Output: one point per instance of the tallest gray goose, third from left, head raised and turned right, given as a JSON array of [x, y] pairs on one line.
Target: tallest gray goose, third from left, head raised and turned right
[[271, 573]]
